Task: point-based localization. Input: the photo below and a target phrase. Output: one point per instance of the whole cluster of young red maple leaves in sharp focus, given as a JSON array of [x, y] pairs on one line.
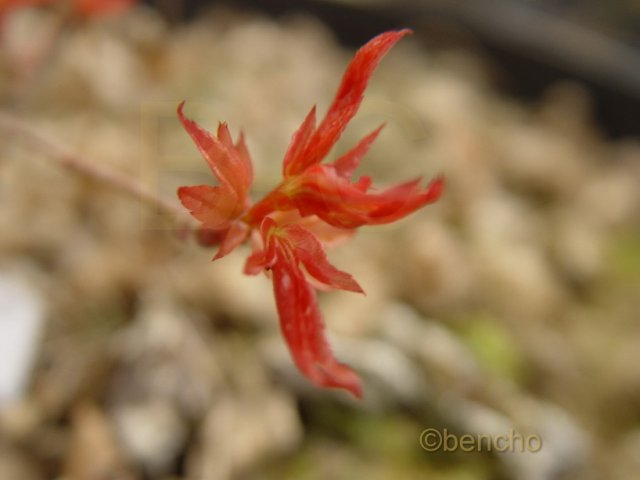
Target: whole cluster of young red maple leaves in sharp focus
[[314, 205]]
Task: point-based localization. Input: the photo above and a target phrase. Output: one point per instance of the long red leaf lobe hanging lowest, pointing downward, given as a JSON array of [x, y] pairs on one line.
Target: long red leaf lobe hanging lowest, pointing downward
[[302, 326]]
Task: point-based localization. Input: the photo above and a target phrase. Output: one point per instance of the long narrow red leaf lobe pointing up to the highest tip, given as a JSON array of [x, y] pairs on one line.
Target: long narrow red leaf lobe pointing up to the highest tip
[[345, 104]]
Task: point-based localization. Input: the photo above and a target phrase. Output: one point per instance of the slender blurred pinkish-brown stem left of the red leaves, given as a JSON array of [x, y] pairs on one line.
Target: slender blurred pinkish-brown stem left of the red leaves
[[15, 128]]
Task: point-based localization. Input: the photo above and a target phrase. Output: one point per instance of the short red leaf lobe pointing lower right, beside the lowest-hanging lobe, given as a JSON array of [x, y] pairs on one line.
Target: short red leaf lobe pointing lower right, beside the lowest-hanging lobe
[[308, 249]]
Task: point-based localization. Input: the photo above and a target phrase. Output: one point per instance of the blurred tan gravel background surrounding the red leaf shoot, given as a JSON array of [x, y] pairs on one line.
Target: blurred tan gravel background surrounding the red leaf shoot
[[511, 305]]
